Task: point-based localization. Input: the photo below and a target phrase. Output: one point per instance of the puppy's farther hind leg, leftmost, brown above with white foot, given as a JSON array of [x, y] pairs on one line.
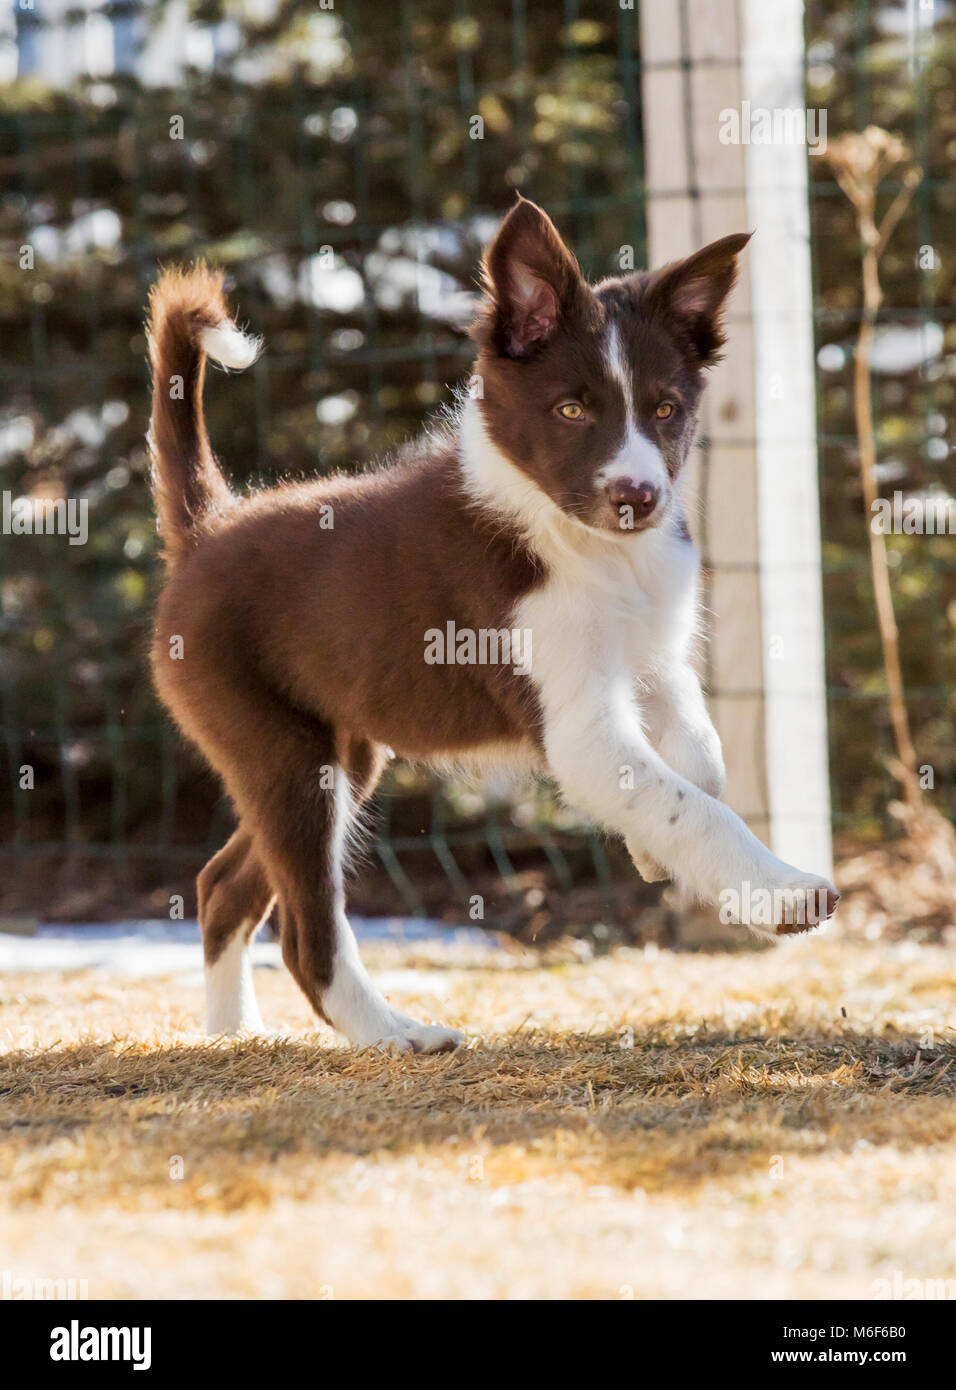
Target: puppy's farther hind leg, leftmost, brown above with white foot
[[234, 901]]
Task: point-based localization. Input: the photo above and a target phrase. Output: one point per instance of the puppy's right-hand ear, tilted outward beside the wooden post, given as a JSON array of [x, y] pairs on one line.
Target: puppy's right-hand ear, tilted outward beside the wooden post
[[693, 293]]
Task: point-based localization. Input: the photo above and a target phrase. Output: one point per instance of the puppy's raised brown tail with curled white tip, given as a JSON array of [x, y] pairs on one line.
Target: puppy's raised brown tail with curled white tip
[[188, 322]]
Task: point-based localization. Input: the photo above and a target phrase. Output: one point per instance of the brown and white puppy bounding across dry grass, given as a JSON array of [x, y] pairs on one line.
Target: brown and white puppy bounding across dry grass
[[522, 590]]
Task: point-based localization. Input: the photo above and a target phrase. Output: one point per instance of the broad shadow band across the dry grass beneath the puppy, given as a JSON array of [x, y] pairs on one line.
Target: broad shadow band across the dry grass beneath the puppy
[[661, 1115]]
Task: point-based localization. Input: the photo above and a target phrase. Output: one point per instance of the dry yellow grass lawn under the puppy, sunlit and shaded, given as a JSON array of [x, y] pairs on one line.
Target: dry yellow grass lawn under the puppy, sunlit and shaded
[[754, 1140]]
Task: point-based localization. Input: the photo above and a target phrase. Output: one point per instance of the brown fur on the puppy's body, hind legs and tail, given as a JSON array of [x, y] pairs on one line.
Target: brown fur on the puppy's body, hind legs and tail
[[276, 683]]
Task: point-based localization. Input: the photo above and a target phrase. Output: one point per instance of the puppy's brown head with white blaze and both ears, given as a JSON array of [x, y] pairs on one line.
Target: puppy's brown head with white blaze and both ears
[[593, 391]]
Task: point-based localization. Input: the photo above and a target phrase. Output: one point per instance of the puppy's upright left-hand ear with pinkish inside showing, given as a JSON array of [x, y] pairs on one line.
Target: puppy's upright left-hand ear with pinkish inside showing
[[531, 279]]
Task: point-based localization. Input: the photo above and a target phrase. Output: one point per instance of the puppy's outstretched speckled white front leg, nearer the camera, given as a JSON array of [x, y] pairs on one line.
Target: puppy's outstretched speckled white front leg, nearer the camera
[[601, 755]]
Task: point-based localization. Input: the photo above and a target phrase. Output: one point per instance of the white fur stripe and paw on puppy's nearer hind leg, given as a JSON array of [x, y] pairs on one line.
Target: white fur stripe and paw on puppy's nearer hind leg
[[352, 1004]]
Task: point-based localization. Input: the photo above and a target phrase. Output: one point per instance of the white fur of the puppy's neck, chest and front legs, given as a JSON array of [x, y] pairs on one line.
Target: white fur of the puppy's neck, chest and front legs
[[627, 735]]
